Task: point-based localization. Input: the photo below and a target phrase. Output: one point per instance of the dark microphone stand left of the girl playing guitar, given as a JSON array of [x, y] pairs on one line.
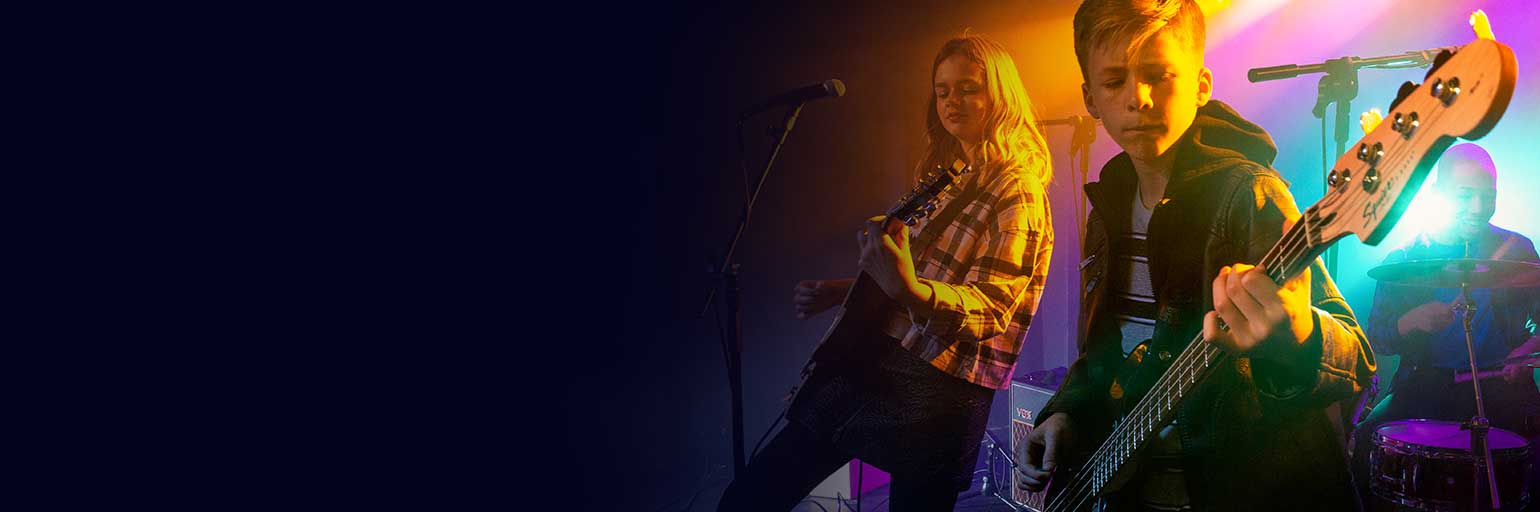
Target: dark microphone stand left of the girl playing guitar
[[728, 274]]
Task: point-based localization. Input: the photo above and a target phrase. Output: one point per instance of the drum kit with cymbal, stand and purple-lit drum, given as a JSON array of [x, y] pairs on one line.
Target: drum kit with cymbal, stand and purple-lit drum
[[1425, 465]]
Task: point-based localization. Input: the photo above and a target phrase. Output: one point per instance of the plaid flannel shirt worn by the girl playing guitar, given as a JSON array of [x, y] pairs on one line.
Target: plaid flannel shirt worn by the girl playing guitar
[[988, 271]]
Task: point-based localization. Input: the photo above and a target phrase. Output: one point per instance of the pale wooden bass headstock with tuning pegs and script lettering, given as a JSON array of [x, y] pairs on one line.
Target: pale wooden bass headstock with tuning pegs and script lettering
[[1462, 96]]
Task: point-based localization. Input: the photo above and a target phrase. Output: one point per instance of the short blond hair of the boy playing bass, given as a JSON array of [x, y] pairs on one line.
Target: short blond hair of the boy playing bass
[[1100, 22]]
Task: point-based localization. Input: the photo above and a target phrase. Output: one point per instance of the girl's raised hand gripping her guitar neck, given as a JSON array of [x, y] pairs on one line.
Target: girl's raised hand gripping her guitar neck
[[886, 258]]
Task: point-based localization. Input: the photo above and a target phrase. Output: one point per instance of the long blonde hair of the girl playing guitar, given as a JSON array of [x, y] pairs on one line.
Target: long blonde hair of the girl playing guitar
[[1013, 138]]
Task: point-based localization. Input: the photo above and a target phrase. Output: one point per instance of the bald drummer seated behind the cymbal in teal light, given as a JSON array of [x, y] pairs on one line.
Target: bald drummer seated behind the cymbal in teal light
[[1421, 326]]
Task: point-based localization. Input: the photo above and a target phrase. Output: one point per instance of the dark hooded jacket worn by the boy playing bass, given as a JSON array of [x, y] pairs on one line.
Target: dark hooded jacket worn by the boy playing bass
[[1256, 434]]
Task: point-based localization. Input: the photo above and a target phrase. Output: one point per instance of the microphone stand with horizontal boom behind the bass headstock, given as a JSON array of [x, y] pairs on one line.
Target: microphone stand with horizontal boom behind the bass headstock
[[1341, 86]]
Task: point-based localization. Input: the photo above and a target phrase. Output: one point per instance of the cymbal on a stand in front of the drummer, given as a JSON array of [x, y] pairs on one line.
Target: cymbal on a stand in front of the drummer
[[1448, 274]]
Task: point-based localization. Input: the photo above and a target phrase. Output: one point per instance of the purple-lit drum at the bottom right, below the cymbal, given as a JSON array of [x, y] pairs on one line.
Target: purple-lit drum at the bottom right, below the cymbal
[[1424, 465]]
